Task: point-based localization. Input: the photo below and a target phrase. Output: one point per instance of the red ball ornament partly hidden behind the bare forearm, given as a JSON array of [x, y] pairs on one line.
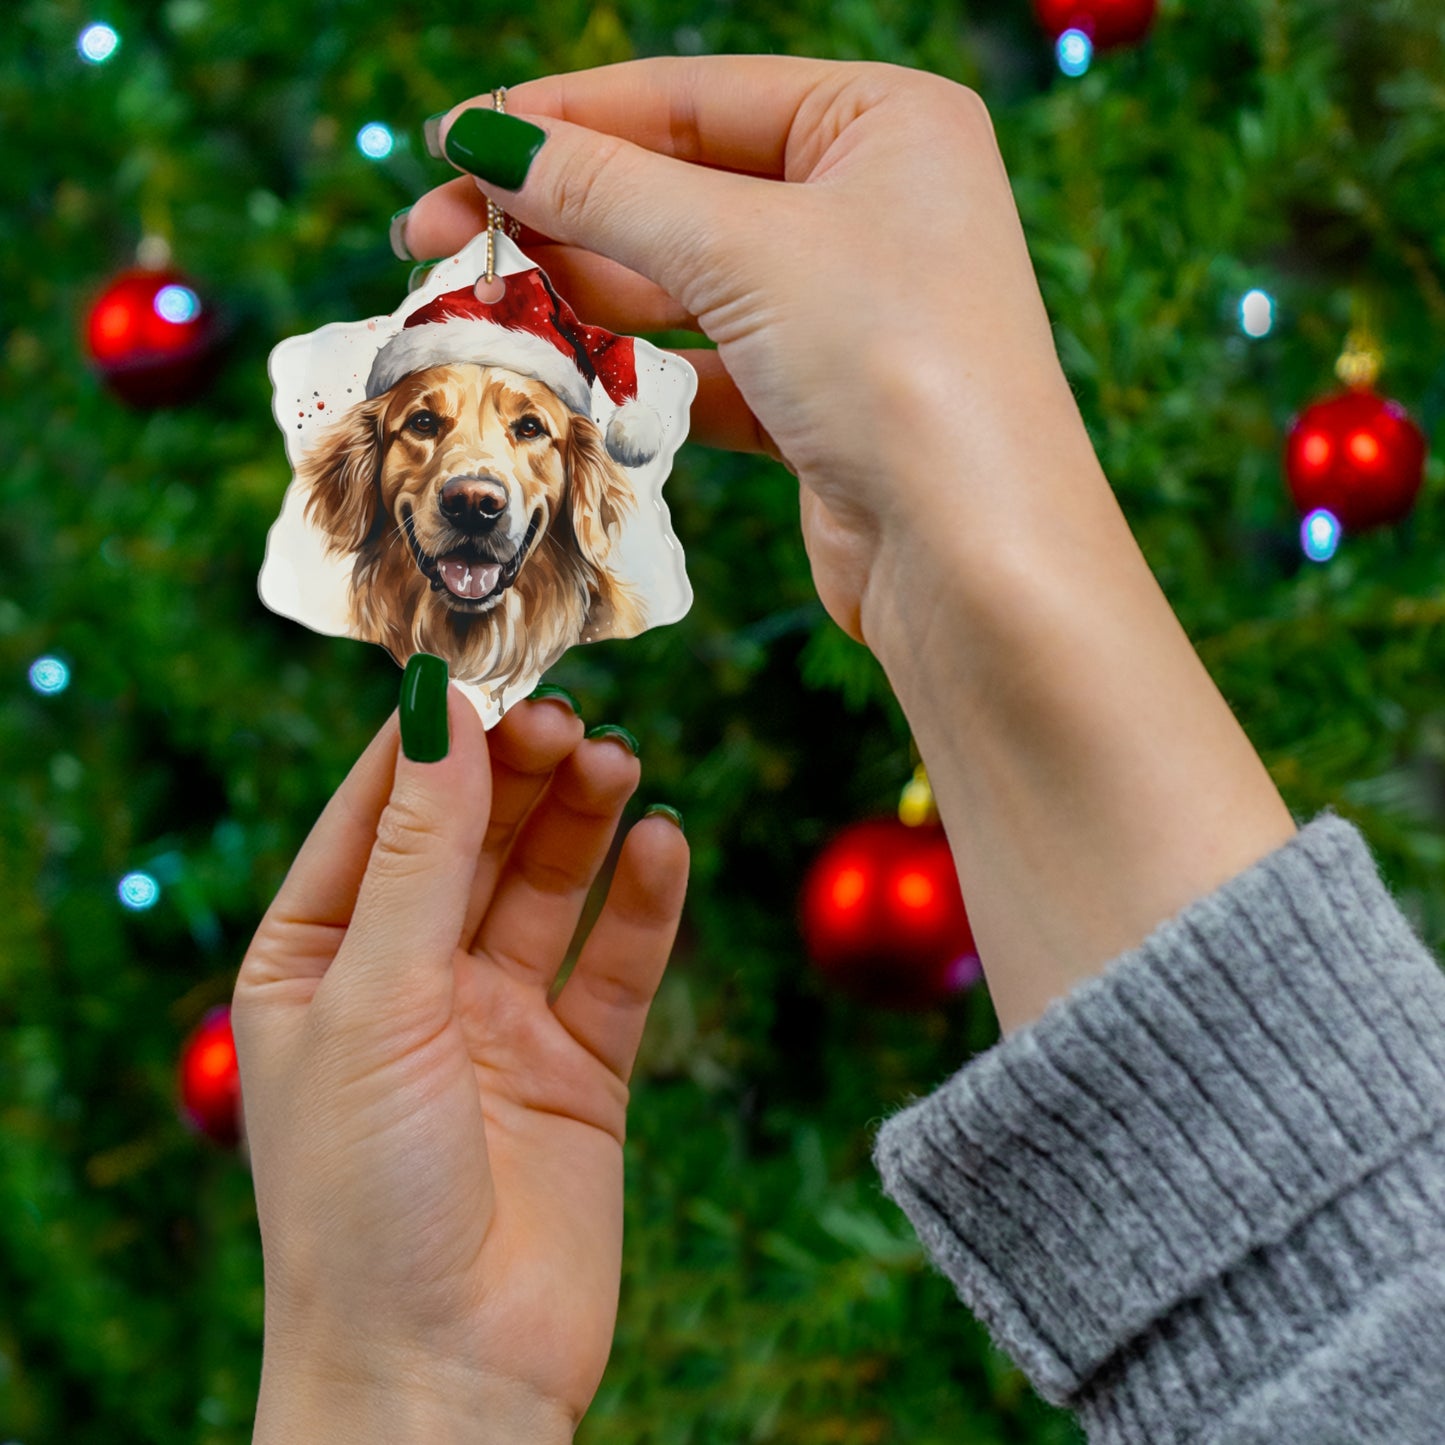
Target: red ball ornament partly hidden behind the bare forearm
[[884, 917]]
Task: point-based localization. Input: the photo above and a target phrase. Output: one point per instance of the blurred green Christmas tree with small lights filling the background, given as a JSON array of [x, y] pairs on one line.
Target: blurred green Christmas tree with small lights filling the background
[[1213, 210]]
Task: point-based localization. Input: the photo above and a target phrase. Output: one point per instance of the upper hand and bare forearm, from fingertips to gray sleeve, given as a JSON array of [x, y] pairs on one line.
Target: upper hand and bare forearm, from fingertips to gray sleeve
[[849, 239]]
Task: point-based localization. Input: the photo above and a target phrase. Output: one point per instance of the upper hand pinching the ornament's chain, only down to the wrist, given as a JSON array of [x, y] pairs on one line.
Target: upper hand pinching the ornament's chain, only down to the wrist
[[878, 320]]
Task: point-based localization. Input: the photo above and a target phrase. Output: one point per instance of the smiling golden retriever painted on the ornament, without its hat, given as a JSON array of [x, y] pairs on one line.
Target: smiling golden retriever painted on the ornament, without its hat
[[482, 512]]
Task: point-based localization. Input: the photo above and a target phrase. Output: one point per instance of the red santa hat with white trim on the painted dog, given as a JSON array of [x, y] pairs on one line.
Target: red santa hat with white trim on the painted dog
[[532, 332]]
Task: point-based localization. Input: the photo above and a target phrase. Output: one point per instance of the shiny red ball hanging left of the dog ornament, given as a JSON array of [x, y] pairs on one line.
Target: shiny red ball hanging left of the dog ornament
[[152, 339]]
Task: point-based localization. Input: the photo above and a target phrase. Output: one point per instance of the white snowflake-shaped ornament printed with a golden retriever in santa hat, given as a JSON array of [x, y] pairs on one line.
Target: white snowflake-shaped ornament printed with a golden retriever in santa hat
[[479, 476]]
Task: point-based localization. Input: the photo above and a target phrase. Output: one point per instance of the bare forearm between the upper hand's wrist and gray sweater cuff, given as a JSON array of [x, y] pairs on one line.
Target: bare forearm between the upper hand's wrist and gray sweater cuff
[[1092, 778]]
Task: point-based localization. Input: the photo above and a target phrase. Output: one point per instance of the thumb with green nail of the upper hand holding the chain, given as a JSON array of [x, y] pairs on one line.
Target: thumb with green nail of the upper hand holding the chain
[[665, 219]]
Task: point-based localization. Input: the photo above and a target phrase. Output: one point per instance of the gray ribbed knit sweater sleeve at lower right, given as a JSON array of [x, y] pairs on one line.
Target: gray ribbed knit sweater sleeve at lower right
[[1203, 1199]]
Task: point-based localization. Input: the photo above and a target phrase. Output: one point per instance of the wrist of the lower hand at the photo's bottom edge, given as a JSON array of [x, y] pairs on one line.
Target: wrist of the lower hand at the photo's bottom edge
[[322, 1402]]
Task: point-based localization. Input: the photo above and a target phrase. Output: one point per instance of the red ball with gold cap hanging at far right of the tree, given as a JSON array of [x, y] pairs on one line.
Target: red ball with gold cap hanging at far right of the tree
[[1359, 456]]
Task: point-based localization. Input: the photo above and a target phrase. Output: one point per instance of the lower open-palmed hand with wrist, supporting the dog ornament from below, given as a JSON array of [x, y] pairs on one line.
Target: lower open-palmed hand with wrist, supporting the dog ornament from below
[[439, 1149]]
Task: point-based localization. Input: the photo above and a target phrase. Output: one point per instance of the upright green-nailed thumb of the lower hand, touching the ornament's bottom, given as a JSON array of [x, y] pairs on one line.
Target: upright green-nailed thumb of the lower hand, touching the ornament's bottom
[[413, 902]]
